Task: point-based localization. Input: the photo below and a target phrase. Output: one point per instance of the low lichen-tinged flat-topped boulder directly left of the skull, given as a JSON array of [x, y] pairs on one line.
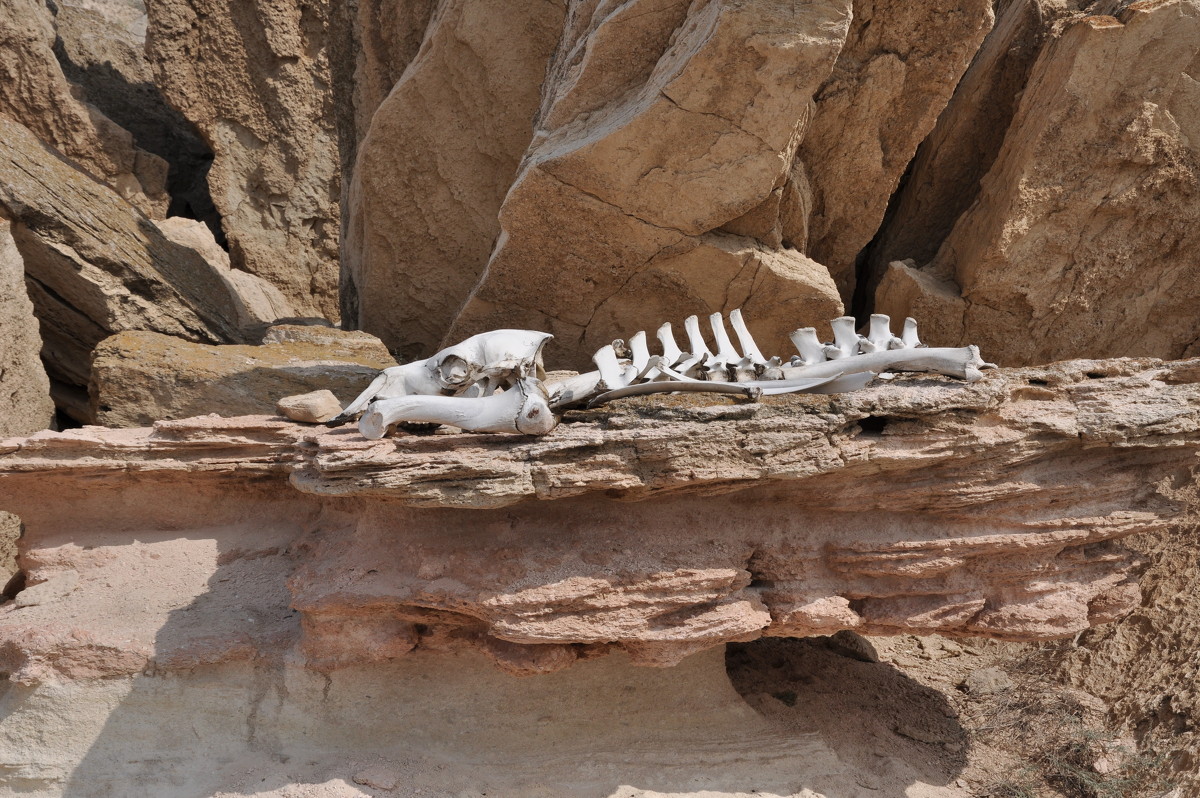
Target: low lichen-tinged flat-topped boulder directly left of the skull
[[139, 379]]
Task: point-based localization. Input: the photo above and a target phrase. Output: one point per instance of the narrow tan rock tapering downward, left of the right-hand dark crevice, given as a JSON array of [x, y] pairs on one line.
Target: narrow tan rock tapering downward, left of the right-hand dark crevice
[[898, 70]]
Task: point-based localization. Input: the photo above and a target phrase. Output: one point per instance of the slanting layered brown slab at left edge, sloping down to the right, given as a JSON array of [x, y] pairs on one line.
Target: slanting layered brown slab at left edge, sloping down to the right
[[97, 266]]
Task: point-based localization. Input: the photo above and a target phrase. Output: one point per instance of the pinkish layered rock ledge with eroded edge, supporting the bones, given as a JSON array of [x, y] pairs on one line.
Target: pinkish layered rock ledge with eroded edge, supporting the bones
[[663, 527]]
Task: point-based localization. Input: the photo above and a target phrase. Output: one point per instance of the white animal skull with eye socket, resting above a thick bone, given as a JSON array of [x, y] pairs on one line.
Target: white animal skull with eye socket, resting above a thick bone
[[475, 368]]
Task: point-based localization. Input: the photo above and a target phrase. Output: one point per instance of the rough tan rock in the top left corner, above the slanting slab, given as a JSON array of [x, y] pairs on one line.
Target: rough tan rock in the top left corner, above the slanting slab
[[40, 97]]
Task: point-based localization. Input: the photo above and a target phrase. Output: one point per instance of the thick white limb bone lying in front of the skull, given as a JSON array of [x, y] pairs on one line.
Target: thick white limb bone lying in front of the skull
[[523, 409]]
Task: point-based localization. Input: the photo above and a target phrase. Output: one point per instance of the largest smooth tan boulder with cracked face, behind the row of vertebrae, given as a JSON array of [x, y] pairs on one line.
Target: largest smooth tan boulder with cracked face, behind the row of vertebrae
[[652, 136]]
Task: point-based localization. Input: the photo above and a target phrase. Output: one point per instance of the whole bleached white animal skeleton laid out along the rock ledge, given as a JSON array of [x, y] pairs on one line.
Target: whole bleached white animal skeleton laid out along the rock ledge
[[496, 382]]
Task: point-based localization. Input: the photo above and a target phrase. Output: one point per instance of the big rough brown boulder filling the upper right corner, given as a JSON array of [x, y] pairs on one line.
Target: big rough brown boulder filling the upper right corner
[[1079, 242]]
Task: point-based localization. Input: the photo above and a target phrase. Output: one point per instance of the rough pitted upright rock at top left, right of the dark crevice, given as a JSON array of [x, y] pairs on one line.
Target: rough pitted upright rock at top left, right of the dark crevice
[[256, 80]]
